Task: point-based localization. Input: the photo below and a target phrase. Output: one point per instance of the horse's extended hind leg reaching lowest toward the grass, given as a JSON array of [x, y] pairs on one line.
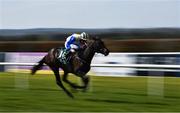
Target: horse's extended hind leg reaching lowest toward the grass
[[59, 83]]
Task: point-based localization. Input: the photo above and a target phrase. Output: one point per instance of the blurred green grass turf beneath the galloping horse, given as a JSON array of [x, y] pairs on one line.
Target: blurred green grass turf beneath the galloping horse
[[39, 93]]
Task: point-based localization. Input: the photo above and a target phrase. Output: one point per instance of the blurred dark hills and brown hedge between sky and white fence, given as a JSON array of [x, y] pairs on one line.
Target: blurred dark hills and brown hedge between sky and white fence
[[117, 40]]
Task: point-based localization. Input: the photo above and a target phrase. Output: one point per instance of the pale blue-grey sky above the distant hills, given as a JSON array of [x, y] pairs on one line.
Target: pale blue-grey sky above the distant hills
[[24, 14]]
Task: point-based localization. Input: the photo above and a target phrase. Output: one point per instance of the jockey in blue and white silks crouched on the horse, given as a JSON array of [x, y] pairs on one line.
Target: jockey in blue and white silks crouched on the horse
[[74, 41]]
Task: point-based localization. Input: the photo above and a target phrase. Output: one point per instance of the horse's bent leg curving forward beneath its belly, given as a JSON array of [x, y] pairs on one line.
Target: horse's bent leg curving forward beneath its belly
[[73, 85]]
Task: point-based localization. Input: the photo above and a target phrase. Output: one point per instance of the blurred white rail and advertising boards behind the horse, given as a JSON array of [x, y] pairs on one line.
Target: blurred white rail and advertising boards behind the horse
[[115, 64]]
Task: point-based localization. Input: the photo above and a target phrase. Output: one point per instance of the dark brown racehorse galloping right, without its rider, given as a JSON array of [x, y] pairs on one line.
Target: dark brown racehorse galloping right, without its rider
[[78, 67]]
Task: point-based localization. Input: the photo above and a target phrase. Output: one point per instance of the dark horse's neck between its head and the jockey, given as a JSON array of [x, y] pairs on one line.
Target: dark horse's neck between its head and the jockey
[[89, 53]]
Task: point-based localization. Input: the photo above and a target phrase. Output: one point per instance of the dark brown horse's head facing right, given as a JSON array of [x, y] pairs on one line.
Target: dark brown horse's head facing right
[[100, 47]]
